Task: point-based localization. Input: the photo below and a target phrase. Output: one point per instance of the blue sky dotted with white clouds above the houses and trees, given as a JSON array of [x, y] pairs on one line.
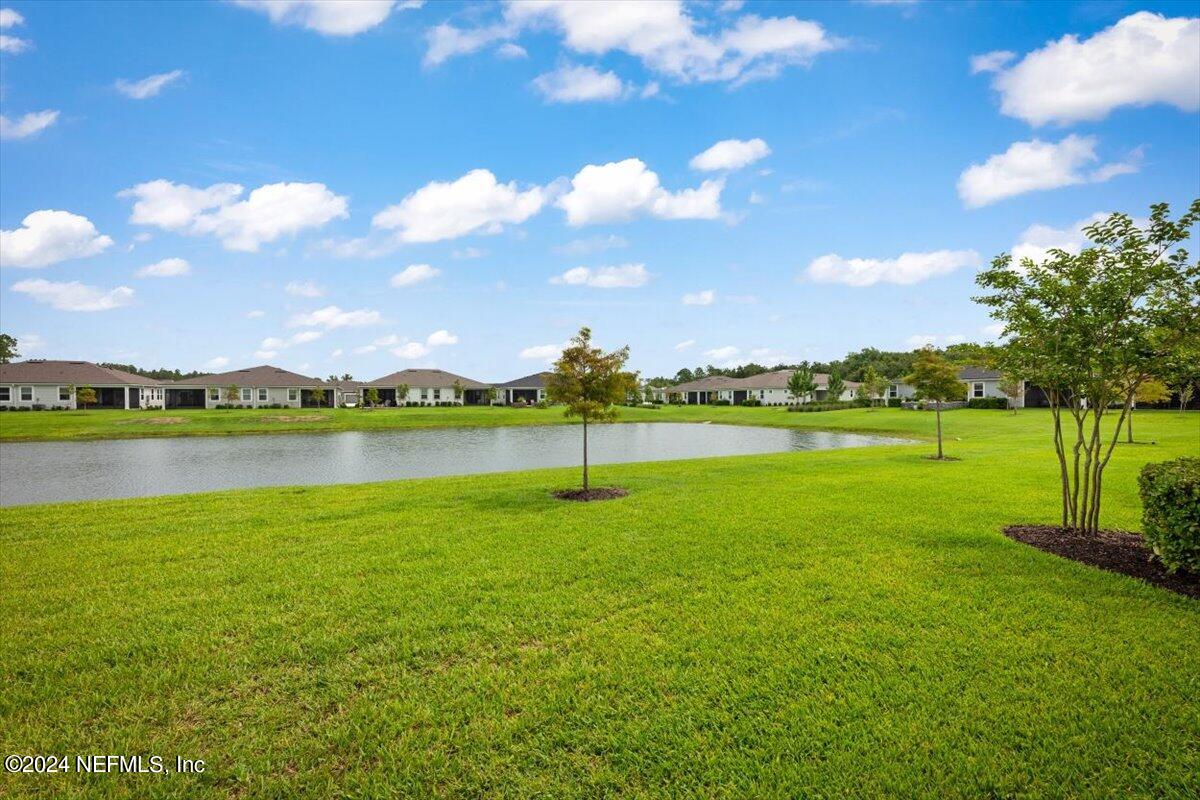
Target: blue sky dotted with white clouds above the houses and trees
[[243, 183]]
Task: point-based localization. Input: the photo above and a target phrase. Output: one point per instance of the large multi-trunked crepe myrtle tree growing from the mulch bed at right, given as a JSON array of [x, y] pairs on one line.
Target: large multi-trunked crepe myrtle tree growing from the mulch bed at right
[[1090, 329]]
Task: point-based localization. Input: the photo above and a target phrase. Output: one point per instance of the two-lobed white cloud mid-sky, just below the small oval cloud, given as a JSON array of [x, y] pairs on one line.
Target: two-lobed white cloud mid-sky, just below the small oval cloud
[[623, 190]]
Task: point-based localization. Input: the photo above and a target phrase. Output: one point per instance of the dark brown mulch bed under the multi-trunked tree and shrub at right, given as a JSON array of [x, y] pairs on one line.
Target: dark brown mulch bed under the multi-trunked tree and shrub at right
[[1115, 551]]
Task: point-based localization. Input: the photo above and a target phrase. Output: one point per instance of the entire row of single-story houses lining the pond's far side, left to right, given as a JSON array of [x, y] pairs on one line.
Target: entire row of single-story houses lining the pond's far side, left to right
[[52, 384]]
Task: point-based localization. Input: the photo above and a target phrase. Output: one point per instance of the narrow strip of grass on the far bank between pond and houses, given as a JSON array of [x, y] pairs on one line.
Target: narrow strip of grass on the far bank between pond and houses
[[33, 426]]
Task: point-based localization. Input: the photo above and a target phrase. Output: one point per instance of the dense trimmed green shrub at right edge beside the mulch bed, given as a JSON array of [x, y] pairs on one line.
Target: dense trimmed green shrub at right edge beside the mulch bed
[[1171, 496]]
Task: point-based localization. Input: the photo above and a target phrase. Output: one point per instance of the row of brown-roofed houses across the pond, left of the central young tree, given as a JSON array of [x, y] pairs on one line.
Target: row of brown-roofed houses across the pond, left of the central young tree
[[55, 384]]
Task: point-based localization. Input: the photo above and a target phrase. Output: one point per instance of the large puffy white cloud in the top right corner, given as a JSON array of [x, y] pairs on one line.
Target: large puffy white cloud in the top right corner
[[1142, 61]]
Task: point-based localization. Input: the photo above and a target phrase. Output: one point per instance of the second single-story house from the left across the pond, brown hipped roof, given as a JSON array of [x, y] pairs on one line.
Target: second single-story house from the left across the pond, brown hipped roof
[[254, 387]]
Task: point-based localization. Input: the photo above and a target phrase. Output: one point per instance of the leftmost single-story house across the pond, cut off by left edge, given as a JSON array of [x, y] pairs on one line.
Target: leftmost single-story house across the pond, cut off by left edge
[[55, 384]]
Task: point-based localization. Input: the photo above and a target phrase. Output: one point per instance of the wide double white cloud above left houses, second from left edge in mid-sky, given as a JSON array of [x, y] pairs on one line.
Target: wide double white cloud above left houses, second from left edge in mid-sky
[[268, 213]]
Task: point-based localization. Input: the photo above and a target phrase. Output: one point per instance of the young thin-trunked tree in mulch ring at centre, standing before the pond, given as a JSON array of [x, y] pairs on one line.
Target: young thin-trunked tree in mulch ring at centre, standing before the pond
[[590, 383]]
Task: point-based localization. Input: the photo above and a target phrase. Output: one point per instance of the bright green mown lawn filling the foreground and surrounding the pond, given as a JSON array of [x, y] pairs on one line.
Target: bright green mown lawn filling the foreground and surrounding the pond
[[823, 624]]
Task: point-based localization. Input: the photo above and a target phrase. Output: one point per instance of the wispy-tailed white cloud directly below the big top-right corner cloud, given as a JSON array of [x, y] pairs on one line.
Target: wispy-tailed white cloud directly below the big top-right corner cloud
[[1039, 166]]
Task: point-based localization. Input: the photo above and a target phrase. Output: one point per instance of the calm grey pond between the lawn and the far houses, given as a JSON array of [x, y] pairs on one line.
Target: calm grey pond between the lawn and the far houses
[[56, 472]]
